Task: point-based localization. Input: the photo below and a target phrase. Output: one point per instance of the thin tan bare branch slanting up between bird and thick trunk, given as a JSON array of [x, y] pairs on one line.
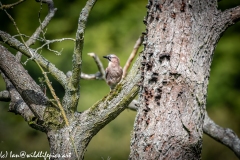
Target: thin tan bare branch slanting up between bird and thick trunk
[[132, 55]]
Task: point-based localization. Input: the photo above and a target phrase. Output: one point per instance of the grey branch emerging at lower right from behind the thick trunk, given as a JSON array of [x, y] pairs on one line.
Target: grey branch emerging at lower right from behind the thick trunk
[[223, 135]]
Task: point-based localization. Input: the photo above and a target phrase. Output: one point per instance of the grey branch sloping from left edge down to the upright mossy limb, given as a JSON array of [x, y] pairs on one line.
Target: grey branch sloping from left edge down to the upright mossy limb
[[14, 43]]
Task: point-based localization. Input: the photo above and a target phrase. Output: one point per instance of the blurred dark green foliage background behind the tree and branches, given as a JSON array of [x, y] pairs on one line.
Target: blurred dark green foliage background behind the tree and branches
[[113, 27]]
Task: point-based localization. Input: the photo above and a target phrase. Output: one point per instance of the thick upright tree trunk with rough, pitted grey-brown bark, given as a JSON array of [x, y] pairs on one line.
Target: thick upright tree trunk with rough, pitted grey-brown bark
[[178, 48]]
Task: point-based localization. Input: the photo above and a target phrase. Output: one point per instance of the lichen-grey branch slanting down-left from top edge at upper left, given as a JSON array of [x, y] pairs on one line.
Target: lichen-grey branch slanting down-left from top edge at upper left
[[35, 35]]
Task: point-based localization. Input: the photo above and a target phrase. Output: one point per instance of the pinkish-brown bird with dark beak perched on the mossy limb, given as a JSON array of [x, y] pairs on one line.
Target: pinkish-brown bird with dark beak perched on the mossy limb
[[113, 72]]
